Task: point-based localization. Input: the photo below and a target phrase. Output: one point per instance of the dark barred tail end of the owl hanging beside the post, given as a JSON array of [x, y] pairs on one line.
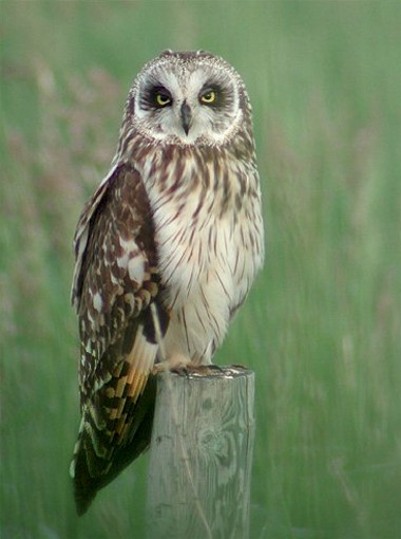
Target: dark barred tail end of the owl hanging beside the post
[[98, 456]]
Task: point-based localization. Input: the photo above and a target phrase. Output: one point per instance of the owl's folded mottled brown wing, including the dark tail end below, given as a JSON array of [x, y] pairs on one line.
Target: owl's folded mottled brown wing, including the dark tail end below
[[115, 283]]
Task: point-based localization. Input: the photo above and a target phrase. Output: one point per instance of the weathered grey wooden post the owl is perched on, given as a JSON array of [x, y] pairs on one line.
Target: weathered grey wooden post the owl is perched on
[[201, 455]]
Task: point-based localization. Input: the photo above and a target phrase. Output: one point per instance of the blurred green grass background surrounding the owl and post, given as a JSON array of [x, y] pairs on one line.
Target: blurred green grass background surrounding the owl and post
[[322, 326]]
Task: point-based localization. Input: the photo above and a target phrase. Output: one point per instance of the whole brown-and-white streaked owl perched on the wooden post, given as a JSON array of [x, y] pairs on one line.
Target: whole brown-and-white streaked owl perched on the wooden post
[[166, 252]]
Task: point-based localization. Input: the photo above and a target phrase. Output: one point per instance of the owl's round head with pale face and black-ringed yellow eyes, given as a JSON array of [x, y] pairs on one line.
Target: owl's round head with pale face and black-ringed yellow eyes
[[183, 98]]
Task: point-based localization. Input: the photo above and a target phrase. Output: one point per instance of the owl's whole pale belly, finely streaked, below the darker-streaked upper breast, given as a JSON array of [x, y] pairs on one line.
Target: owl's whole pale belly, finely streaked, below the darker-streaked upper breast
[[208, 251]]
